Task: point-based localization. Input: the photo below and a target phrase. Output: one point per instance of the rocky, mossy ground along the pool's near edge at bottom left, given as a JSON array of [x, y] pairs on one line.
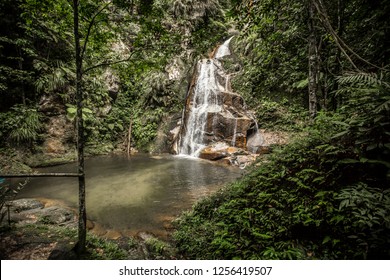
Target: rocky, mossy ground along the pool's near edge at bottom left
[[40, 232]]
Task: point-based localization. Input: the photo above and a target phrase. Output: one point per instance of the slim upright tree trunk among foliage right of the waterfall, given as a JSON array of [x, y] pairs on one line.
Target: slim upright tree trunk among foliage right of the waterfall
[[313, 62]]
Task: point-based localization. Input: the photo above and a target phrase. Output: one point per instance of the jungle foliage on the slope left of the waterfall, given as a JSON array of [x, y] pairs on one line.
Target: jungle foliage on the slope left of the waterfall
[[127, 47]]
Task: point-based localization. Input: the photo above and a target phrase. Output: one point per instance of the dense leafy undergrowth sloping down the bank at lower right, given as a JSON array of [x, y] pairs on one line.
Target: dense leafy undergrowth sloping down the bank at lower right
[[324, 196]]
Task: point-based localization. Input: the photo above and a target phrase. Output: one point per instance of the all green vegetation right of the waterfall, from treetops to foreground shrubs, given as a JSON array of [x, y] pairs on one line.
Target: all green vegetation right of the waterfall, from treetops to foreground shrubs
[[325, 195]]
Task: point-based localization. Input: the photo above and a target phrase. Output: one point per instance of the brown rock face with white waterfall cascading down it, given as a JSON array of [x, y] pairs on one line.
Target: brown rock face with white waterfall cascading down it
[[214, 113]]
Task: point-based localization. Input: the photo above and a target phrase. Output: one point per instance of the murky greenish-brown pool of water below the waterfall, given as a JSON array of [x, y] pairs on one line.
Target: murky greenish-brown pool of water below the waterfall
[[142, 193]]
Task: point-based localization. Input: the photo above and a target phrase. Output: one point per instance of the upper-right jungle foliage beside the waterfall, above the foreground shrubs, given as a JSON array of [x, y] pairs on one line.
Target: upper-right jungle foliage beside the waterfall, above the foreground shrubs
[[273, 46]]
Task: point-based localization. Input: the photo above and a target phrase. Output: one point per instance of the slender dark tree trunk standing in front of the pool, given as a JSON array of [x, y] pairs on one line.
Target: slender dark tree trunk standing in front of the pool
[[82, 229]]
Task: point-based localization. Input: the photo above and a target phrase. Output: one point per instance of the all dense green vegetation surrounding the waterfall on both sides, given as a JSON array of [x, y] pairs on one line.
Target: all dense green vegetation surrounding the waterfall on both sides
[[318, 69]]
